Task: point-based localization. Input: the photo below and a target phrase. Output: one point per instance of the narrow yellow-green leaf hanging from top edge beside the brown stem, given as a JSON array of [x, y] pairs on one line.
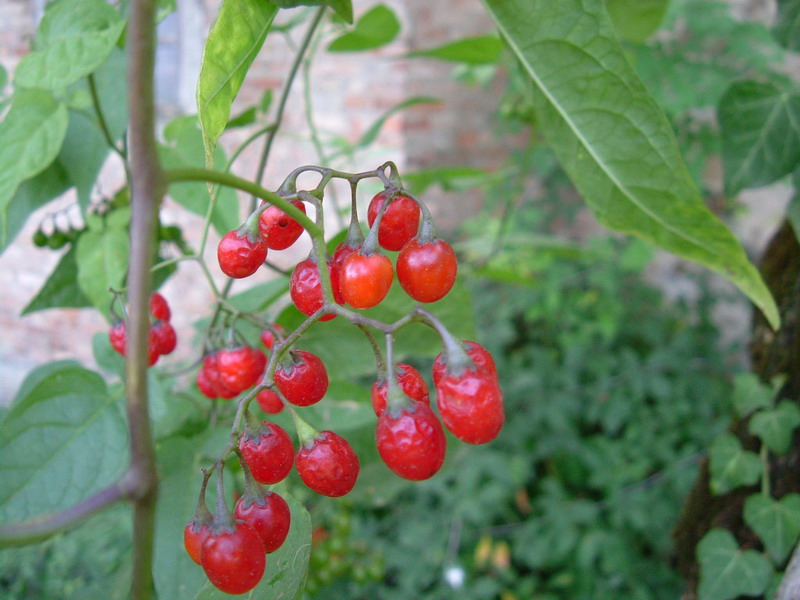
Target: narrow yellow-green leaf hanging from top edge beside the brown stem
[[232, 45]]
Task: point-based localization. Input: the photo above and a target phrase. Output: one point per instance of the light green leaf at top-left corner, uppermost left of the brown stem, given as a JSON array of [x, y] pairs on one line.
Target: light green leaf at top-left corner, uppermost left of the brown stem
[[74, 38]]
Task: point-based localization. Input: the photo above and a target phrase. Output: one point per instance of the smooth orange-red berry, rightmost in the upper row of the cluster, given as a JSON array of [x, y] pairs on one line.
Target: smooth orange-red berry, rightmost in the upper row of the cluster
[[428, 270]]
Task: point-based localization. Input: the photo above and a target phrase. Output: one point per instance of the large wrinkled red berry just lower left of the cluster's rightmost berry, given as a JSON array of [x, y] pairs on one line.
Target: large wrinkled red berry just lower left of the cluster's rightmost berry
[[412, 444]]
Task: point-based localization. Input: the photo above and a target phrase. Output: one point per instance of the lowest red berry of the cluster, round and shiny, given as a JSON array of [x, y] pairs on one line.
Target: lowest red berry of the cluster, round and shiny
[[234, 561]]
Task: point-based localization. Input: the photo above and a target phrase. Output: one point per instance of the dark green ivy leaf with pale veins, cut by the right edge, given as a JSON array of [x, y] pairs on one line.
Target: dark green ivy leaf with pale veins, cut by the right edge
[[760, 128]]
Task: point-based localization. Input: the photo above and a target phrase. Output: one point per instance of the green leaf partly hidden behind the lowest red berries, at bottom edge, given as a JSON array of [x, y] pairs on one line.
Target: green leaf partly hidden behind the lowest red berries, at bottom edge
[[286, 568]]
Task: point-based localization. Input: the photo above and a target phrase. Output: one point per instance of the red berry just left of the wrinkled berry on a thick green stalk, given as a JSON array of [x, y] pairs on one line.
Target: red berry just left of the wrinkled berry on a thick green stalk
[[268, 453]]
